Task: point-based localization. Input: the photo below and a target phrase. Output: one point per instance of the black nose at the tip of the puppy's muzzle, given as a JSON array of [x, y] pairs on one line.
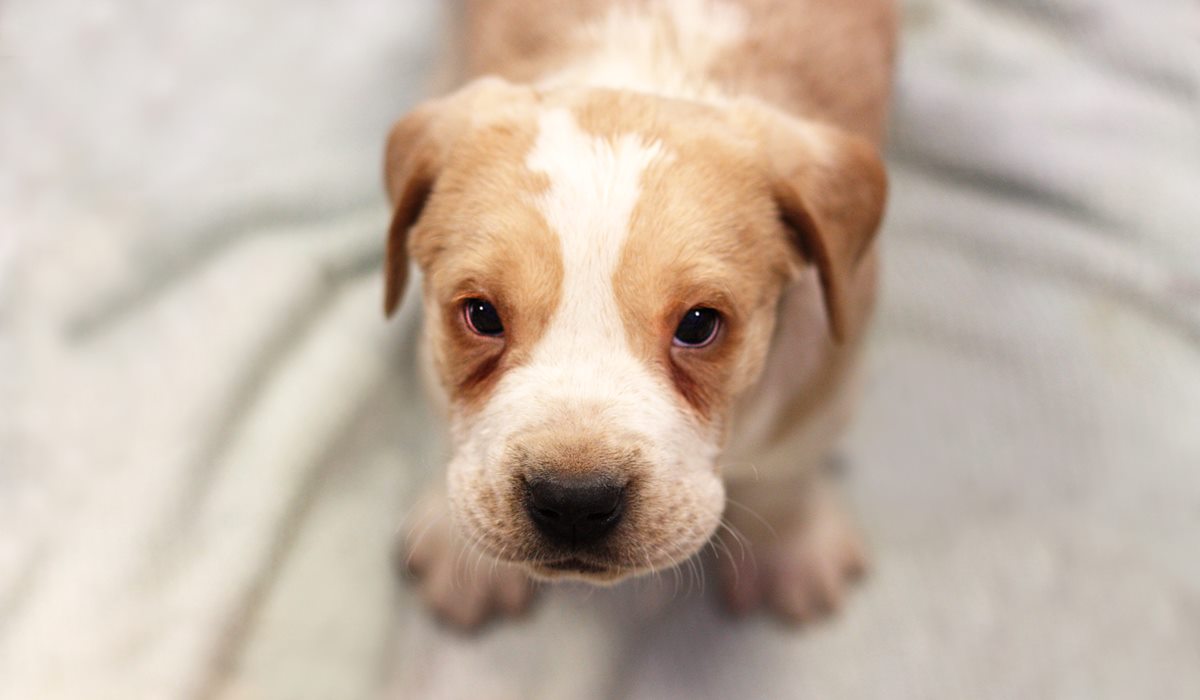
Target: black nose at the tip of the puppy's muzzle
[[578, 511]]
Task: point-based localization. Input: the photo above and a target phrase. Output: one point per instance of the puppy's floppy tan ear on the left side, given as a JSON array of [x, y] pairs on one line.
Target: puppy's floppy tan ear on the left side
[[417, 152]]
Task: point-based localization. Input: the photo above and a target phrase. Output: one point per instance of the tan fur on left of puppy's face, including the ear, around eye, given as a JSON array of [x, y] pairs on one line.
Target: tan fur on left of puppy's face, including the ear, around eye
[[477, 238]]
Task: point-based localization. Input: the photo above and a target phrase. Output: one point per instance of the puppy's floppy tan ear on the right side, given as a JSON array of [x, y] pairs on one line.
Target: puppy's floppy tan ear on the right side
[[831, 188]]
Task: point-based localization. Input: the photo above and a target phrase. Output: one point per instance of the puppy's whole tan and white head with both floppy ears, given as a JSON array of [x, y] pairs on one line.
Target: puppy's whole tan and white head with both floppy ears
[[602, 273]]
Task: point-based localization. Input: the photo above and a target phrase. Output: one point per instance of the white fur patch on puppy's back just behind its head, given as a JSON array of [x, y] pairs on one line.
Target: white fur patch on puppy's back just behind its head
[[668, 49]]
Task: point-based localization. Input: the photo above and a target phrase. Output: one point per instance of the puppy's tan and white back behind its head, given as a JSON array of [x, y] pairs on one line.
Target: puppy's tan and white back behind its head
[[823, 59]]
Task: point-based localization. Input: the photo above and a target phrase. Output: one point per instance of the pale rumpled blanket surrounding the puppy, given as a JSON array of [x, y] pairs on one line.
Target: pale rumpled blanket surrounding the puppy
[[209, 435]]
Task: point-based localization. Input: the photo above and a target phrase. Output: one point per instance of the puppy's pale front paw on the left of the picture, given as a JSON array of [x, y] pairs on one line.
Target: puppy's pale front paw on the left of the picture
[[463, 585]]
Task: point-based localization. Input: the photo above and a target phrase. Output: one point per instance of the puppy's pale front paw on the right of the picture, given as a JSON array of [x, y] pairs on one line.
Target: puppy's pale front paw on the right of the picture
[[800, 570]]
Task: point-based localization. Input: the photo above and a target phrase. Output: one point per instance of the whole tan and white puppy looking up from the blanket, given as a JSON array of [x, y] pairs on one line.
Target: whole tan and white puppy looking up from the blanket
[[647, 240]]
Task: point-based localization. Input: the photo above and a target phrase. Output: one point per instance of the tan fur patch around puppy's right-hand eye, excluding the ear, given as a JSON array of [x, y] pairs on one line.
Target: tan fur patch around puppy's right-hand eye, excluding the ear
[[706, 234]]
